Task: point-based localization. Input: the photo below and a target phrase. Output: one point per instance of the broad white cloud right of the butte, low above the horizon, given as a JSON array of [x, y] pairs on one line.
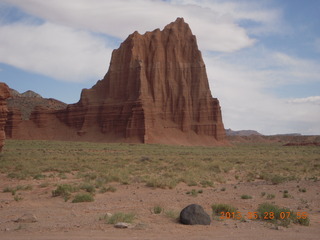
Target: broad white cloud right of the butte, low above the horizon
[[243, 89]]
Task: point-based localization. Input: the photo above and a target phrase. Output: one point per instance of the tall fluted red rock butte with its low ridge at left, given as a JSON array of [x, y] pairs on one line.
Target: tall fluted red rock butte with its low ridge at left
[[155, 91]]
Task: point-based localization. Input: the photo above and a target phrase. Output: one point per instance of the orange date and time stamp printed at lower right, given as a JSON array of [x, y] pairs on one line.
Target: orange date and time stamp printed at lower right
[[266, 215]]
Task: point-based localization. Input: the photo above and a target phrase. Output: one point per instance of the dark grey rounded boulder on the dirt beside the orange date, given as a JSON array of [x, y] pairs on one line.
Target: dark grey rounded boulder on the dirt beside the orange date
[[193, 215]]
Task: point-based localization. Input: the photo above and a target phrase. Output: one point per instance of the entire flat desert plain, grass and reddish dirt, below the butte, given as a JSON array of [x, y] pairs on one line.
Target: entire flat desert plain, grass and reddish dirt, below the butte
[[149, 184]]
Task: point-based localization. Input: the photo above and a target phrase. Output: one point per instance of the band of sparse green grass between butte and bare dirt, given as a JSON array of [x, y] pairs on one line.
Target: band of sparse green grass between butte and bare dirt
[[89, 161]]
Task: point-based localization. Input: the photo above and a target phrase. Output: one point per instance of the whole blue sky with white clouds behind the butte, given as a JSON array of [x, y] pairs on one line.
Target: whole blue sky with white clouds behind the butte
[[262, 56]]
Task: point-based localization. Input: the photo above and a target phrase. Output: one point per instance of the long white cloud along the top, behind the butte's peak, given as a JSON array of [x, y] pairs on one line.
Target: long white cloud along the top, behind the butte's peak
[[215, 30]]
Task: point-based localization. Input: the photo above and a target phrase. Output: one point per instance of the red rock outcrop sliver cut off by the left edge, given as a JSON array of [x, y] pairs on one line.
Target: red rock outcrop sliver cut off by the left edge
[[4, 94]]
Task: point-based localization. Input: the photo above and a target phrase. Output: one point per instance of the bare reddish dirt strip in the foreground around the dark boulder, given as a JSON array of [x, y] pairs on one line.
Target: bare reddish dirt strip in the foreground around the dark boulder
[[57, 219]]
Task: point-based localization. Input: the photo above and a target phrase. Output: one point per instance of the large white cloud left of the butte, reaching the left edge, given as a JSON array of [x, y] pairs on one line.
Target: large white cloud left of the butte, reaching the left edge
[[53, 50]]
